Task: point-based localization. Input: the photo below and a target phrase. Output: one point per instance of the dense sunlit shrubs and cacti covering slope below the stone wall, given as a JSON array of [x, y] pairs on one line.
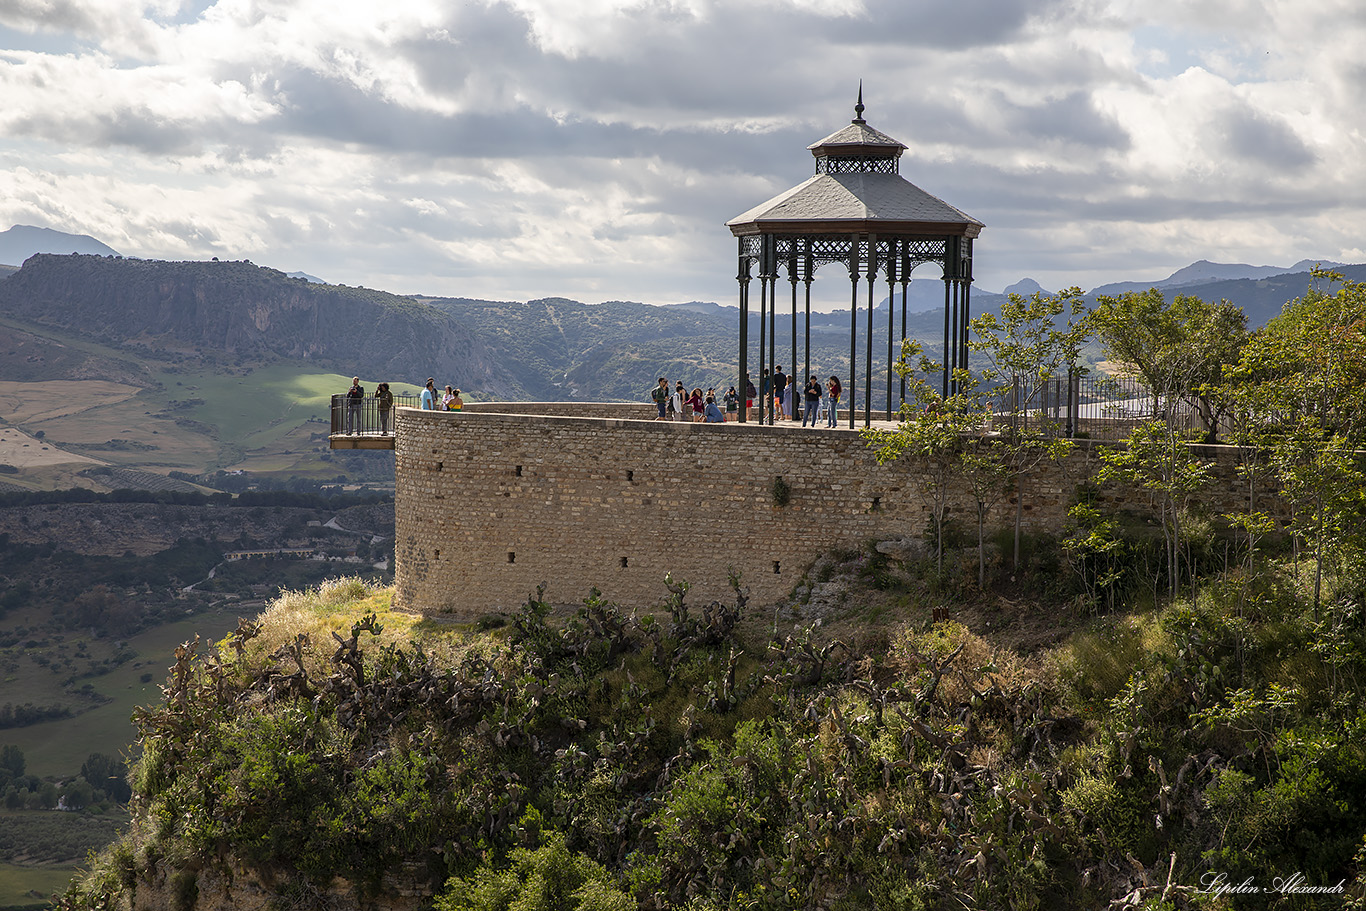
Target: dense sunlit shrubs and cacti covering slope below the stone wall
[[697, 760]]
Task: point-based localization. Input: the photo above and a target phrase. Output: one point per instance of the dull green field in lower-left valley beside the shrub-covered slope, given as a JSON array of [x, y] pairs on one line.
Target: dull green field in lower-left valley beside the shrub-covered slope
[[59, 748]]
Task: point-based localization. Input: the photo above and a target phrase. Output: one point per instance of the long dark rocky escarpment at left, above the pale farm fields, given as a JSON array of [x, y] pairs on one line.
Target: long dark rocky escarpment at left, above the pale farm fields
[[240, 312]]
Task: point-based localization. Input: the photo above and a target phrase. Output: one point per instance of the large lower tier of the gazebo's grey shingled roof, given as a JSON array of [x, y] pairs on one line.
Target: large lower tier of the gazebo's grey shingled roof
[[856, 203]]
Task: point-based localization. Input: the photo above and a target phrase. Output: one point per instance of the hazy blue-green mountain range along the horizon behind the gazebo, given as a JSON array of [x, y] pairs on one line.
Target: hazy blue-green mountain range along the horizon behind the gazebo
[[242, 315]]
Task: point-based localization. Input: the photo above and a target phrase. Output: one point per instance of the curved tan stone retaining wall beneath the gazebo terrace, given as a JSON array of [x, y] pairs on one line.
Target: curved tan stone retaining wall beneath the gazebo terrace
[[490, 506]]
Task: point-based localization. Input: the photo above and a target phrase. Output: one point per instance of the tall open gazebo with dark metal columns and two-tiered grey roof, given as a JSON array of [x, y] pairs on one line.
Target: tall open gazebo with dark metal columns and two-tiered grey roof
[[859, 211]]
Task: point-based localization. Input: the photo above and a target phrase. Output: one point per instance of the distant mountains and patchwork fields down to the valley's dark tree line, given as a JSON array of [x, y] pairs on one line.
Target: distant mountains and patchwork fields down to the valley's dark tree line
[[200, 368]]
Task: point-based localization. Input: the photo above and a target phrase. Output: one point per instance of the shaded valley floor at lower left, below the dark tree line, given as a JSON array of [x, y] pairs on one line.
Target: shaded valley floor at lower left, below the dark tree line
[[95, 598]]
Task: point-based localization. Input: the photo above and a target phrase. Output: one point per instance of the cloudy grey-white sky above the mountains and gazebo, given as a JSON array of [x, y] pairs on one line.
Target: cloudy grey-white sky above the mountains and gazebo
[[595, 150]]
